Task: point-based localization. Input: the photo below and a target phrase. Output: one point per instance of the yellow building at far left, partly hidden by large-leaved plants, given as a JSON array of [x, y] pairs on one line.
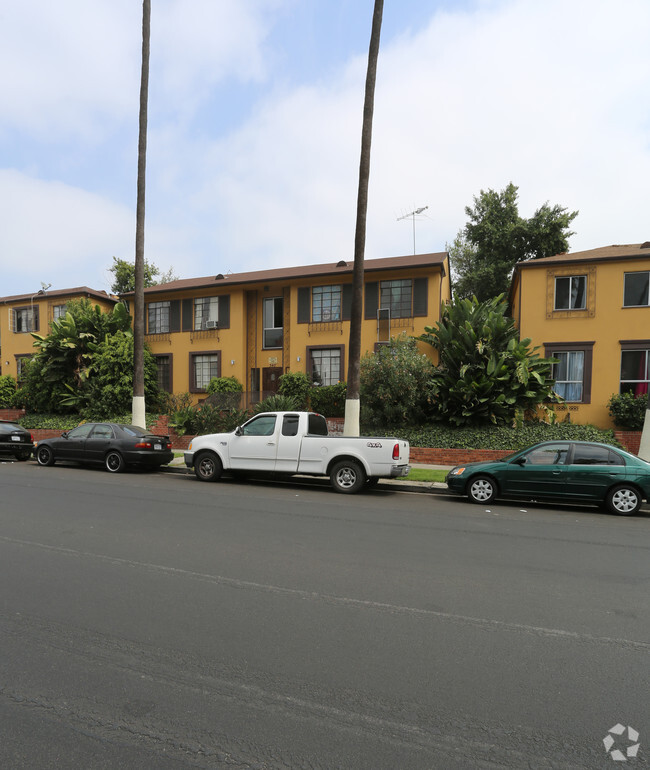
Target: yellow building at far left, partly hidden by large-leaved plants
[[22, 314]]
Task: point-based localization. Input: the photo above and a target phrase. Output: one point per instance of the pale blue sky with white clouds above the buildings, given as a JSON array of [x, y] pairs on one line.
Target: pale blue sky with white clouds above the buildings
[[255, 111]]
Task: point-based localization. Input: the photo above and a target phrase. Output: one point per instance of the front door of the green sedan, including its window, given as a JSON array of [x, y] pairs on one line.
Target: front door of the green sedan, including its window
[[540, 472]]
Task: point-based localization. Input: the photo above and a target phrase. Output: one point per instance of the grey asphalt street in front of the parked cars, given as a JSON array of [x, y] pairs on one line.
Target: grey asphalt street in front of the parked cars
[[148, 620]]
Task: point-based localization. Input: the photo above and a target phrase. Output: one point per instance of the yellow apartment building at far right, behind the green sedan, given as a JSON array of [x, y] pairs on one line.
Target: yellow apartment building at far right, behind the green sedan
[[590, 310]]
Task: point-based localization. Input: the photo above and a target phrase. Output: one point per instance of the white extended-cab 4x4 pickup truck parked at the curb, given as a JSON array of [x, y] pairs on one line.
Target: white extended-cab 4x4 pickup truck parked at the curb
[[298, 442]]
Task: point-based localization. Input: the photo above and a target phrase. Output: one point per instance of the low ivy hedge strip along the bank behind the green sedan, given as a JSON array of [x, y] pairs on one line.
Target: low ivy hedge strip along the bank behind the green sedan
[[497, 437]]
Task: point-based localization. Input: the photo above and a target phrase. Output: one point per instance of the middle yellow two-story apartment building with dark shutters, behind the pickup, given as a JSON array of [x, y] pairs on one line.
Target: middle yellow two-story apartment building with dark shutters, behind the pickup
[[256, 326]]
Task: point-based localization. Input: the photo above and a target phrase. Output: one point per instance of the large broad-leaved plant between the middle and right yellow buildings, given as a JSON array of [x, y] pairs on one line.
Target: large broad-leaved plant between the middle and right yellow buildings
[[486, 373]]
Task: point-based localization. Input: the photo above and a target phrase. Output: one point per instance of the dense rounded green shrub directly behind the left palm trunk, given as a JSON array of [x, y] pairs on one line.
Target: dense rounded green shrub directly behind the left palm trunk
[[108, 390]]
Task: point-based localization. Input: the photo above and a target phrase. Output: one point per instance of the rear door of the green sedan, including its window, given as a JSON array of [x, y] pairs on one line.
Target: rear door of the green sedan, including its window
[[592, 470]]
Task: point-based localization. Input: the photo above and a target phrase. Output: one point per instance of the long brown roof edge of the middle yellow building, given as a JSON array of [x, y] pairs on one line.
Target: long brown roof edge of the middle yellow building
[[302, 271]]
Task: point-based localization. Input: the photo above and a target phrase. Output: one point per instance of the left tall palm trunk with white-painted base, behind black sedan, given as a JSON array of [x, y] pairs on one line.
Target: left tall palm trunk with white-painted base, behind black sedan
[[138, 407]]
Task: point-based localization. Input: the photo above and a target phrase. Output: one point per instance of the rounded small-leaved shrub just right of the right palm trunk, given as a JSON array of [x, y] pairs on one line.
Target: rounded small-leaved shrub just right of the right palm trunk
[[395, 385]]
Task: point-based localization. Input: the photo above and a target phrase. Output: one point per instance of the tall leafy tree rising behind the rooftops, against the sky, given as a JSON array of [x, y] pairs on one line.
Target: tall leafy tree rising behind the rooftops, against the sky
[[495, 238]]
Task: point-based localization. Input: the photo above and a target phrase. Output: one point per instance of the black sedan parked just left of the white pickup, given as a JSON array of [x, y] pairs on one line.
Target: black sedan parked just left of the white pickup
[[107, 443]]
